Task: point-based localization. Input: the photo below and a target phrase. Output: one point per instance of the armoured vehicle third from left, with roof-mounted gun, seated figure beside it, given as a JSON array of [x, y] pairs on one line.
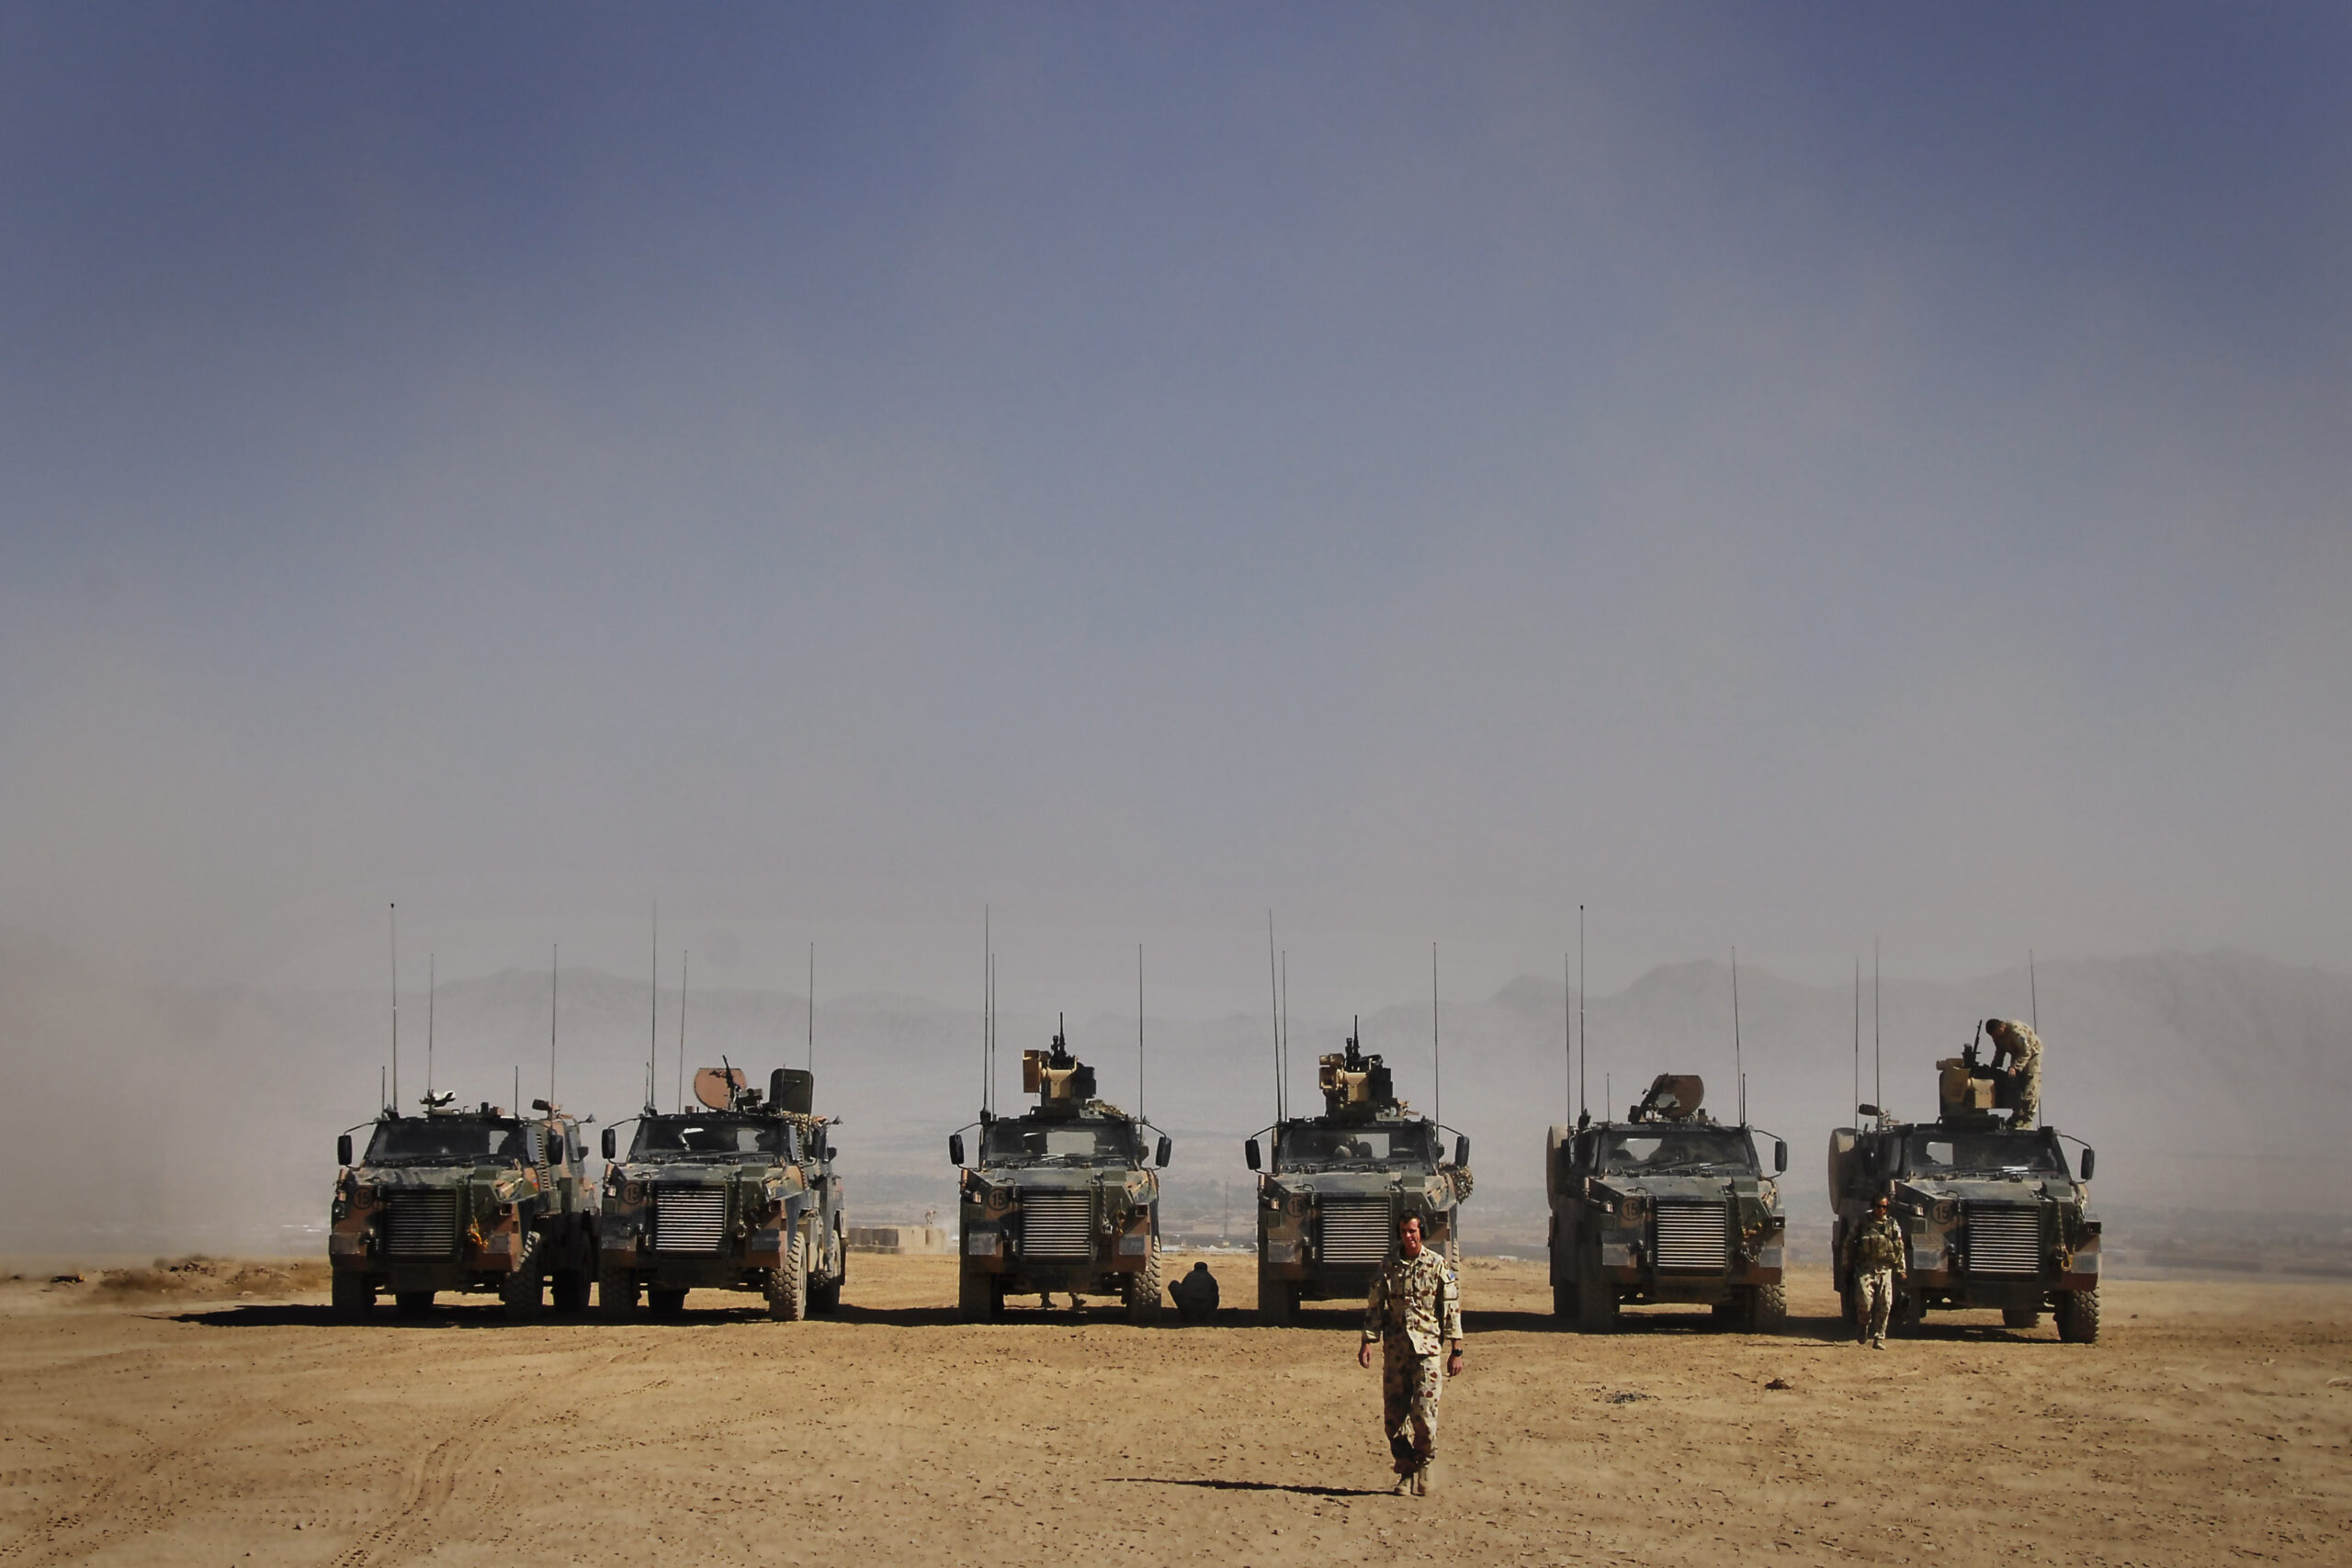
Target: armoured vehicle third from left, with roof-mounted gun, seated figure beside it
[[1060, 1200]]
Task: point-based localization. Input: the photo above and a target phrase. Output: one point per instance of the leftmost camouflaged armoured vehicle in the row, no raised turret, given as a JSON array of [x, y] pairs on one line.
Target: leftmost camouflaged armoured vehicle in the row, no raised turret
[[465, 1200]]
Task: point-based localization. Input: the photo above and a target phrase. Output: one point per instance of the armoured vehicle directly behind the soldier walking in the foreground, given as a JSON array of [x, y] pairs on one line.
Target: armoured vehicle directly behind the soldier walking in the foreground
[[1342, 1184]]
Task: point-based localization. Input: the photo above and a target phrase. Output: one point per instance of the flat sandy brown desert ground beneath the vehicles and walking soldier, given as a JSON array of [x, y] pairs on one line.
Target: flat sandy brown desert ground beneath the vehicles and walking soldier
[[2207, 1426]]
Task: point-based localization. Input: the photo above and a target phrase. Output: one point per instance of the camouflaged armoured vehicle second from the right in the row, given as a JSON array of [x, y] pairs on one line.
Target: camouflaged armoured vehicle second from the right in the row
[[1666, 1207]]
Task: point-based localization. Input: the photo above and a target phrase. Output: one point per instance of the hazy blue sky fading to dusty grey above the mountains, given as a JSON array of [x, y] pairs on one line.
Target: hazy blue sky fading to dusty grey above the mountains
[[1772, 474]]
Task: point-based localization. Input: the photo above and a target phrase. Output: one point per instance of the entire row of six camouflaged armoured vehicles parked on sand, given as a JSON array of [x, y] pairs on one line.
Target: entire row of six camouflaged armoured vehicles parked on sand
[[1064, 1198]]
